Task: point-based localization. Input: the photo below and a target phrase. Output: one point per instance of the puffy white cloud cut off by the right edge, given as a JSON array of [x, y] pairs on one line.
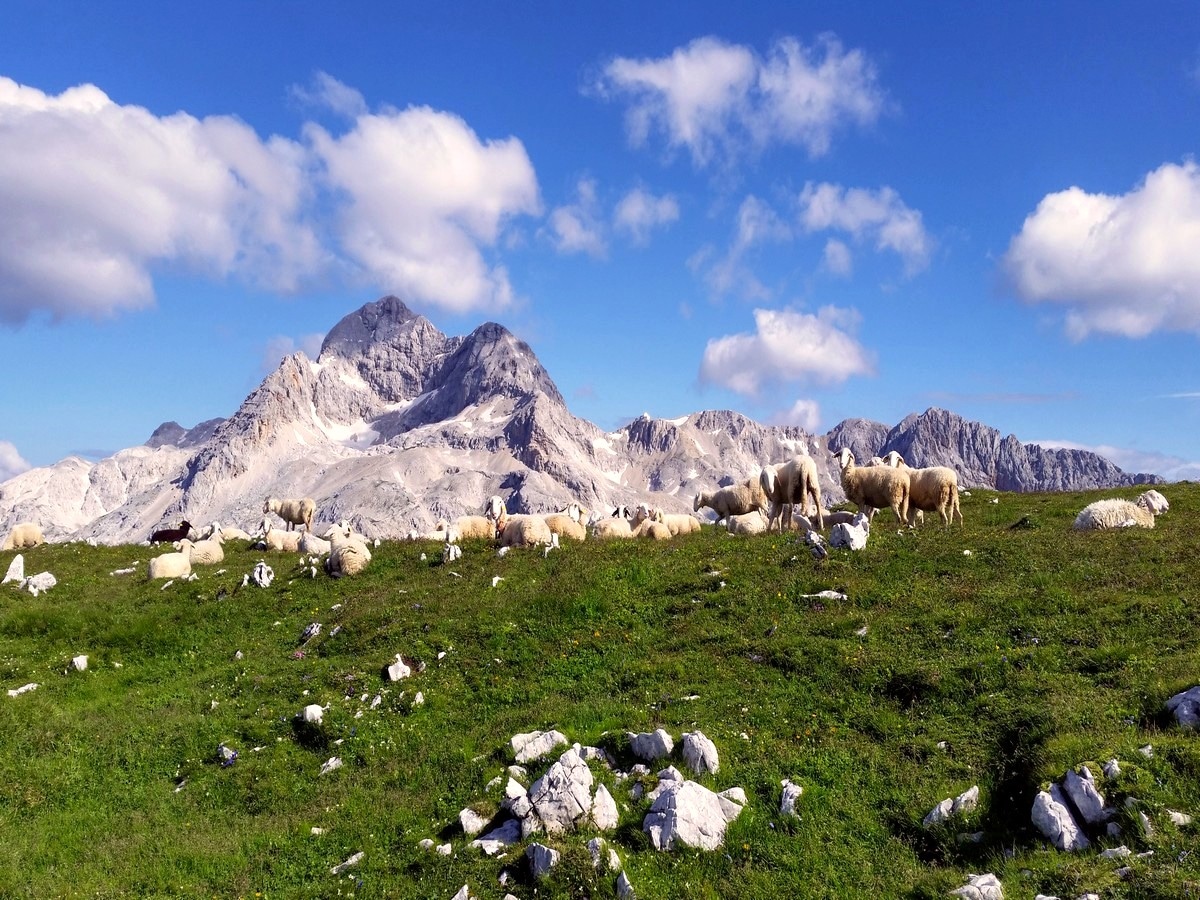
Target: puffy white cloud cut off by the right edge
[[1124, 266]]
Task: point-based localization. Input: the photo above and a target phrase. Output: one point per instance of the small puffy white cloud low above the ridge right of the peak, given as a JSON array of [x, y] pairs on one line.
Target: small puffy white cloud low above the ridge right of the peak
[[788, 346]]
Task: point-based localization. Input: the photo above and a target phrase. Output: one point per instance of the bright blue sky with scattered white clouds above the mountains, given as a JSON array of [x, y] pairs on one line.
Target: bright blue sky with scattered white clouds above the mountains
[[801, 213]]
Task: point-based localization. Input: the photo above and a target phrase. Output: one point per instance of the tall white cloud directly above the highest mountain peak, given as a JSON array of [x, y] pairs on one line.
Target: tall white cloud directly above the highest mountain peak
[[422, 195]]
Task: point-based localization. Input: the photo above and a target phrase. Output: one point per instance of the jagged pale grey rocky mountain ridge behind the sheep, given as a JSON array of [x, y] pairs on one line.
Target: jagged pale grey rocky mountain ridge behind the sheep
[[397, 425]]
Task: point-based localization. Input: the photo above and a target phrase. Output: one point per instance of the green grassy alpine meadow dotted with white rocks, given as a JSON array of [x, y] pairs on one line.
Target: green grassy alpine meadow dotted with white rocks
[[1040, 651]]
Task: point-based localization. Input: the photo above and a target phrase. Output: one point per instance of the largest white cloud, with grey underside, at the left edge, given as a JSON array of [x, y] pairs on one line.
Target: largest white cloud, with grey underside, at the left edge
[[97, 196]]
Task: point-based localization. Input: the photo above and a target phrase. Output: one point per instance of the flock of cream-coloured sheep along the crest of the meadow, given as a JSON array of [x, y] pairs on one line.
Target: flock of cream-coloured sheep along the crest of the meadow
[[779, 499]]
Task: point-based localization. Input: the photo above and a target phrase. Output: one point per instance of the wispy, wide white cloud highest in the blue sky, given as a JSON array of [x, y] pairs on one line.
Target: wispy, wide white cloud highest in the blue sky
[[717, 100]]
